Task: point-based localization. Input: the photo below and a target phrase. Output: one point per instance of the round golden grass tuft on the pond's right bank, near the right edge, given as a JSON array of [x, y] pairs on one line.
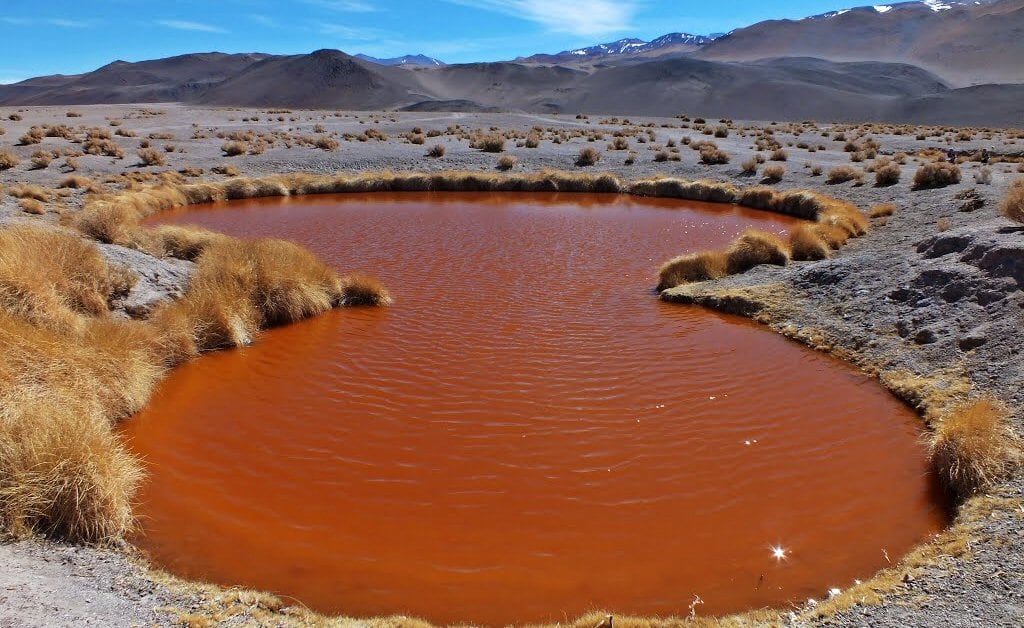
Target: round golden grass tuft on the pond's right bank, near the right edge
[[974, 448]]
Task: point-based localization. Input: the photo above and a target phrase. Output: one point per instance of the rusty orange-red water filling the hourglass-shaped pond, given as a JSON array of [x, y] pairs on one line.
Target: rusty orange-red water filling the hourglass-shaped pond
[[528, 434]]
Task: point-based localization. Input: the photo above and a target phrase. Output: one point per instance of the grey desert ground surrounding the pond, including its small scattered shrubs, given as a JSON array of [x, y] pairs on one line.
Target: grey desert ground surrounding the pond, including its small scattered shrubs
[[929, 301]]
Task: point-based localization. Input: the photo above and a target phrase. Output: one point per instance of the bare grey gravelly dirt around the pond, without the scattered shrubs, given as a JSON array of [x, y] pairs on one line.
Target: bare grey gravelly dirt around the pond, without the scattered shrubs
[[930, 309]]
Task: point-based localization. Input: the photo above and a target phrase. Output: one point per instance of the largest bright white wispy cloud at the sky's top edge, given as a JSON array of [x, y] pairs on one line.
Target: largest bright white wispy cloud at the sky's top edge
[[587, 18]]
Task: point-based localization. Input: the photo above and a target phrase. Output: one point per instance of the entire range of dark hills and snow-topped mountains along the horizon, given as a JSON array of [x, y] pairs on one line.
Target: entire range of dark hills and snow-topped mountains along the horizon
[[949, 63]]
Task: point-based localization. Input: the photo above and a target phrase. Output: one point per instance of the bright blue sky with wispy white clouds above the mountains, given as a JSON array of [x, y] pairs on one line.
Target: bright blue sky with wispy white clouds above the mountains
[[72, 36]]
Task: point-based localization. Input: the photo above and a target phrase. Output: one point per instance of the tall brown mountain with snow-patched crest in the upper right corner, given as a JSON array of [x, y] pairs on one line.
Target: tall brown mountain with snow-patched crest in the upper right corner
[[966, 44]]
